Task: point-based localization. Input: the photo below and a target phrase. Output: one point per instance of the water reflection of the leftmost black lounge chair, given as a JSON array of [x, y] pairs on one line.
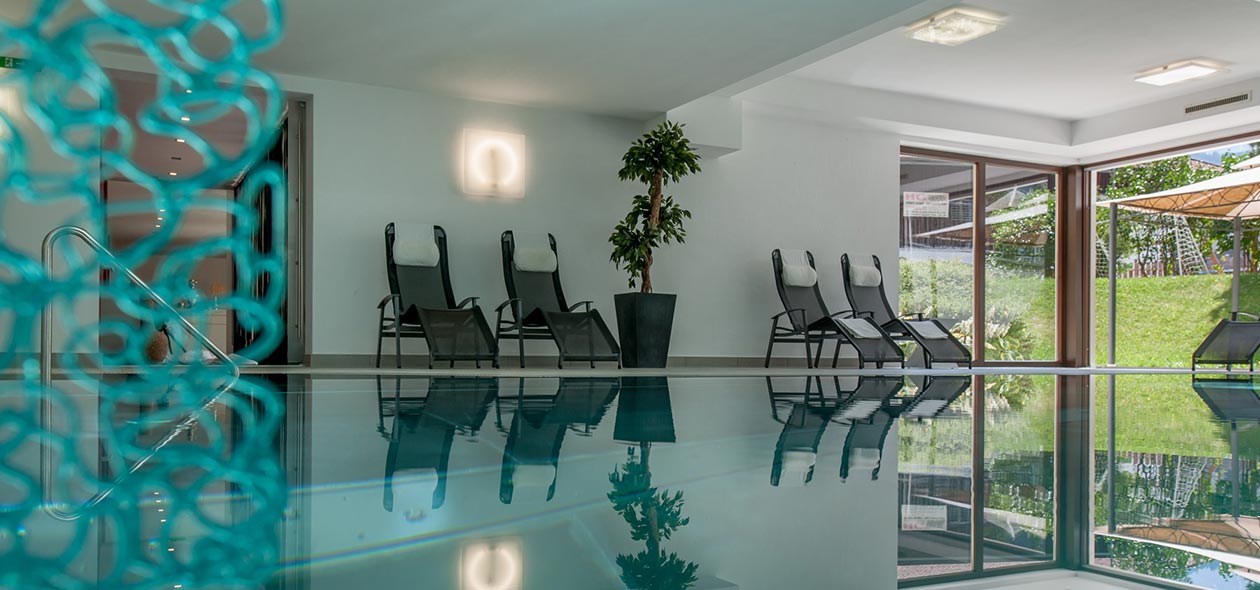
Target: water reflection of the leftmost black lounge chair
[[424, 429]]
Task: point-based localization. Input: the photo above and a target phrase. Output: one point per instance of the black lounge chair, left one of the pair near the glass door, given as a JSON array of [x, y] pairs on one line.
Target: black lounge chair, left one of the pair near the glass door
[[811, 323]]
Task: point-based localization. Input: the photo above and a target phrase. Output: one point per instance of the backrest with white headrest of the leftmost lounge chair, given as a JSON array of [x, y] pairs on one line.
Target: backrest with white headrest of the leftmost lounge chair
[[419, 283]]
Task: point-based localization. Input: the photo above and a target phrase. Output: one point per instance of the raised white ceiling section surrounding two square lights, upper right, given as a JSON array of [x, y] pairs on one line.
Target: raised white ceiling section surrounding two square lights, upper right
[[1069, 60]]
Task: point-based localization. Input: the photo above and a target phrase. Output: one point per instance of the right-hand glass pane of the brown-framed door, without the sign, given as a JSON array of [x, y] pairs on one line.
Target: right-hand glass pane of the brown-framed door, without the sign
[[1020, 263]]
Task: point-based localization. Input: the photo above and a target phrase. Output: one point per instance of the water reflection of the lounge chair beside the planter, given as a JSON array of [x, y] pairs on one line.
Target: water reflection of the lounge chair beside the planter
[[531, 460]]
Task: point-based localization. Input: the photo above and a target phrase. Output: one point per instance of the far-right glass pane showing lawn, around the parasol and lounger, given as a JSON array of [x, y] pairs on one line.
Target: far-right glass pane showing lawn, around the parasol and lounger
[[1169, 265]]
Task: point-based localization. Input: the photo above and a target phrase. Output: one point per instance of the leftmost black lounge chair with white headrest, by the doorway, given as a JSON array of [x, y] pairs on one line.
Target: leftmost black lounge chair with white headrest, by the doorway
[[424, 304]]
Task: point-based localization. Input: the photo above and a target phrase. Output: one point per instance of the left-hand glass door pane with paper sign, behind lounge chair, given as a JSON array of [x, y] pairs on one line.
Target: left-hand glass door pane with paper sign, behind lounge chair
[[937, 245]]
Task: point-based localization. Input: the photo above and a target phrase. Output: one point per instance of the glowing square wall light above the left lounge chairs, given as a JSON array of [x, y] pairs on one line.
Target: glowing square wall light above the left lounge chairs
[[495, 163]]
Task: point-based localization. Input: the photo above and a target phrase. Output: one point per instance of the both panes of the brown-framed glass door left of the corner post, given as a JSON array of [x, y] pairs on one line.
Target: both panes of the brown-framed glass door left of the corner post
[[1017, 225]]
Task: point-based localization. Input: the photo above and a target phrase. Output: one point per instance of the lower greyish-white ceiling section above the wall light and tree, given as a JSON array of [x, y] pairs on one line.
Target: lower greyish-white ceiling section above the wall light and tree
[[631, 59]]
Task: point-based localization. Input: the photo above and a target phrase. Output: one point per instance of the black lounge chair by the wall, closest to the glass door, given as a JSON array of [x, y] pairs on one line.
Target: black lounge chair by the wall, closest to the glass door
[[864, 287]]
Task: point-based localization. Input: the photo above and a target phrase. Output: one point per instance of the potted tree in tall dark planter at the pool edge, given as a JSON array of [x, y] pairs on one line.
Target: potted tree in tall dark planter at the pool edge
[[646, 320]]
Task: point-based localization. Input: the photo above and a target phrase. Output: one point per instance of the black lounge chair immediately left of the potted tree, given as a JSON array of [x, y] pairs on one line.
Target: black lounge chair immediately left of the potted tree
[[540, 311]]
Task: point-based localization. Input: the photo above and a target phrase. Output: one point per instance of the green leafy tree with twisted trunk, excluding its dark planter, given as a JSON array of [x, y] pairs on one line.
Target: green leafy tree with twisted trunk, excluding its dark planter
[[661, 157]]
